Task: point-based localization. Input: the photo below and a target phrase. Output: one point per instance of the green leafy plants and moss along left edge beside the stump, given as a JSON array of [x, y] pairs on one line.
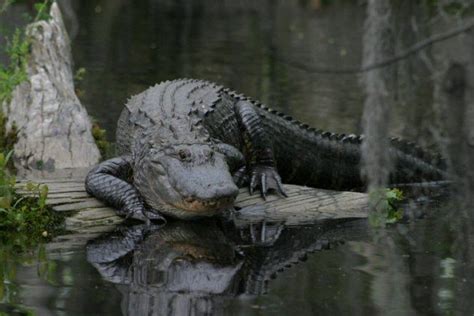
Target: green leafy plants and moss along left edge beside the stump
[[25, 221]]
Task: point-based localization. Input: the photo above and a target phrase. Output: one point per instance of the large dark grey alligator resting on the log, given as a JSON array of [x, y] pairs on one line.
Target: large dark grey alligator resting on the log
[[185, 146]]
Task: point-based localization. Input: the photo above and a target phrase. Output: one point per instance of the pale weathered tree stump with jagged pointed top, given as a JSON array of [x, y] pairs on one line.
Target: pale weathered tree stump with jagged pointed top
[[54, 129]]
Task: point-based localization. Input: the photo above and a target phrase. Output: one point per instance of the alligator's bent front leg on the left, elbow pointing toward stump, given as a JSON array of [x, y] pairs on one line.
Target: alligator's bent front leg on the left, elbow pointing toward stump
[[108, 183]]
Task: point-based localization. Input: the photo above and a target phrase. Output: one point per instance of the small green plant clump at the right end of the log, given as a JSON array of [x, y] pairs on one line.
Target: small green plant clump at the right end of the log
[[384, 206]]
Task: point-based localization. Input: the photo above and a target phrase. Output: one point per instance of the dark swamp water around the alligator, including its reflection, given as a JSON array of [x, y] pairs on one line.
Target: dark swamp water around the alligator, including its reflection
[[422, 266]]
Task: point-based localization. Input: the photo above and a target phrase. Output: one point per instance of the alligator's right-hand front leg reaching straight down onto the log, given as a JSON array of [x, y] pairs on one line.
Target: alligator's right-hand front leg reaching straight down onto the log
[[263, 173]]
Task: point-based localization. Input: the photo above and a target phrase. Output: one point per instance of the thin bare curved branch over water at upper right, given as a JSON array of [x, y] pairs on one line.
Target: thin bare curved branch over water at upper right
[[384, 63]]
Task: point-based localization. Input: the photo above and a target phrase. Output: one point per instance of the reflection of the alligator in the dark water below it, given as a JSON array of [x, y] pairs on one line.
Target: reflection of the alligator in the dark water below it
[[191, 267]]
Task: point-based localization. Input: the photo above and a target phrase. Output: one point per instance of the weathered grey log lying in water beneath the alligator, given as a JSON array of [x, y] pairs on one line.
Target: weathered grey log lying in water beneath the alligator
[[303, 205]]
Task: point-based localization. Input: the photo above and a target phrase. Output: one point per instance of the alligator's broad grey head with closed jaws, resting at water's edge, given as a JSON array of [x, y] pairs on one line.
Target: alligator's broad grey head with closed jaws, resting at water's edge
[[185, 181]]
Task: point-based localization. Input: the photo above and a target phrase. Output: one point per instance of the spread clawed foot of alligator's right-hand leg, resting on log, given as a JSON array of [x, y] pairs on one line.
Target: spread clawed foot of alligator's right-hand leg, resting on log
[[267, 178]]
